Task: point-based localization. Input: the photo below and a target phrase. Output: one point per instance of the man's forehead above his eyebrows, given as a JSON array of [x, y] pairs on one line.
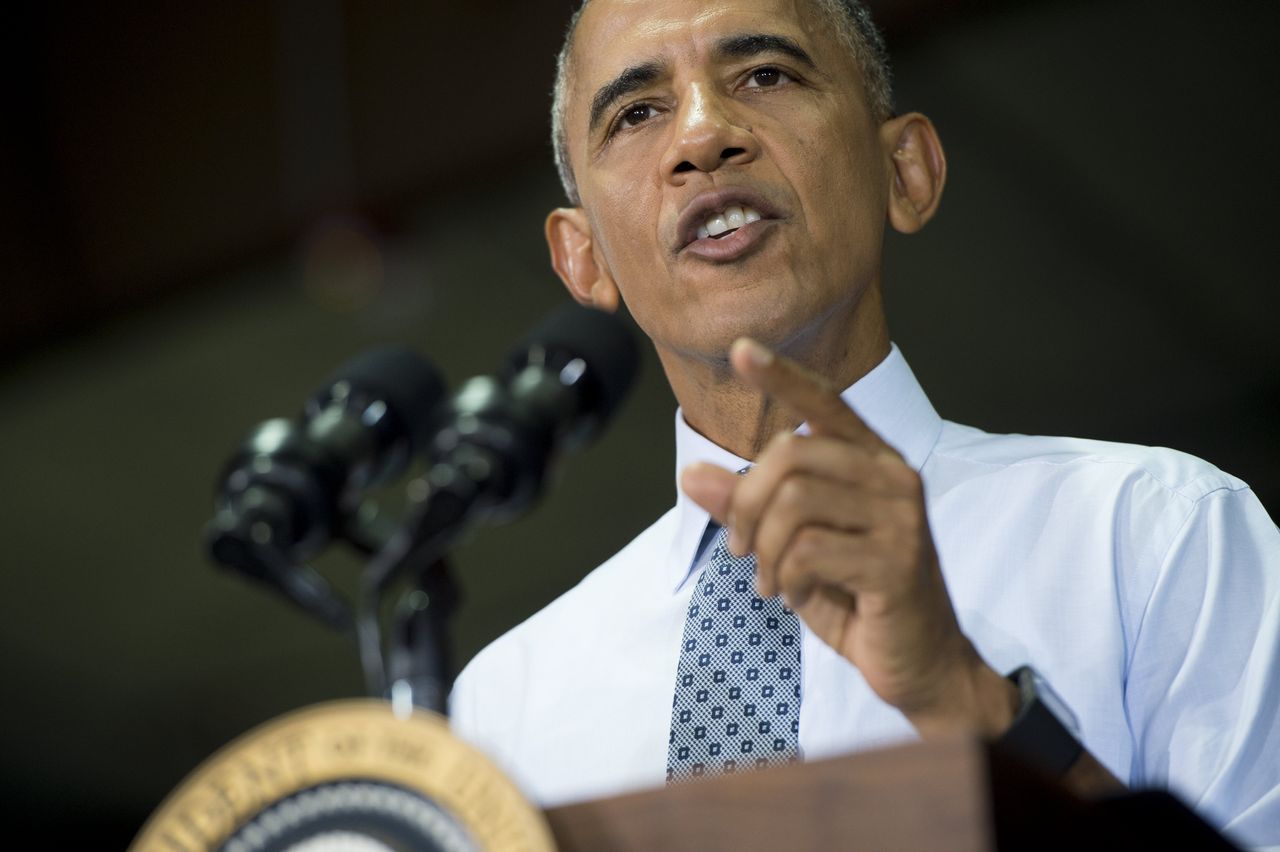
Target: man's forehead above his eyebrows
[[614, 35]]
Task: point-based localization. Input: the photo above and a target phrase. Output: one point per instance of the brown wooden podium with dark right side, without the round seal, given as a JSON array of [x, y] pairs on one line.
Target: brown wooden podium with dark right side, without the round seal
[[962, 796]]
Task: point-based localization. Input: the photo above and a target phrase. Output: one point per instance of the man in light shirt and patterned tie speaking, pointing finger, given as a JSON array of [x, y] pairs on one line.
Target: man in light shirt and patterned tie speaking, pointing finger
[[843, 569]]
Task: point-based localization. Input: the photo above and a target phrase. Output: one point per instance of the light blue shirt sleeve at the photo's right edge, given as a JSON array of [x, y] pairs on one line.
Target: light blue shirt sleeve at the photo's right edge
[[1203, 690]]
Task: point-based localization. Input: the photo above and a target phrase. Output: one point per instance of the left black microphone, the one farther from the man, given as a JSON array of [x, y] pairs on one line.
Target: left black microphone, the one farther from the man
[[296, 484]]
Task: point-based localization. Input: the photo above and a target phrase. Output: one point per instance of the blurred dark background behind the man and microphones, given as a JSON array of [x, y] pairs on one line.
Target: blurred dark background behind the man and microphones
[[208, 207]]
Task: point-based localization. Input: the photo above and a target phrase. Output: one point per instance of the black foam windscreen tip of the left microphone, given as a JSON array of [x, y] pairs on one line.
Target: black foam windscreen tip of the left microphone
[[404, 379]]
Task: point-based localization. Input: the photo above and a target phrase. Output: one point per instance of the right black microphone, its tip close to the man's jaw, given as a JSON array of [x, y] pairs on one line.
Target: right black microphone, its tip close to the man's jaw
[[497, 436]]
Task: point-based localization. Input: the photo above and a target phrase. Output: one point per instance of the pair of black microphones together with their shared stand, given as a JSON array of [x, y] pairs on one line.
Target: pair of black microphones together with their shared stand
[[298, 485]]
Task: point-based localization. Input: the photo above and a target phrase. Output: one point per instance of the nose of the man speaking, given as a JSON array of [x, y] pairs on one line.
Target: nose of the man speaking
[[707, 136]]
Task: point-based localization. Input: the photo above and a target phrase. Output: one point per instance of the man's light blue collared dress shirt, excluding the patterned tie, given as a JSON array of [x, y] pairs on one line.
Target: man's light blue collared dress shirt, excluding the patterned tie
[[1144, 584]]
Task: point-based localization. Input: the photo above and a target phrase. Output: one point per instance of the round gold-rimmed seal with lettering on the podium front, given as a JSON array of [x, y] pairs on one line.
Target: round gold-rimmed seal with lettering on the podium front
[[307, 758]]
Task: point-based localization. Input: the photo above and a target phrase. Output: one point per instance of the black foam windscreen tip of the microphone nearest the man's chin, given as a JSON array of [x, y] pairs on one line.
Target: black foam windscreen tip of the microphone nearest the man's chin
[[602, 341]]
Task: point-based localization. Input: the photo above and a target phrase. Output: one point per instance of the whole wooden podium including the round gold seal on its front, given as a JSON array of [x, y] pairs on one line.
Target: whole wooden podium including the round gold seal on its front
[[358, 767]]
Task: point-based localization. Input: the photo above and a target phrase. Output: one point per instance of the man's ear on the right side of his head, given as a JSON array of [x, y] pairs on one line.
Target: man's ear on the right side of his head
[[918, 170]]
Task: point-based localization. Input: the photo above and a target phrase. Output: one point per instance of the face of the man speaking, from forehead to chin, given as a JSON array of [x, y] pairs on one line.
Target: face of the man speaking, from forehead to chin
[[680, 113]]
